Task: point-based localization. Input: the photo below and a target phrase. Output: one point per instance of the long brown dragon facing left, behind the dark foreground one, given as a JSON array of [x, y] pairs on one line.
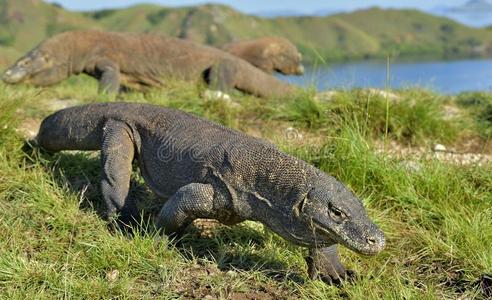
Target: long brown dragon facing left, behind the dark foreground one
[[139, 61]]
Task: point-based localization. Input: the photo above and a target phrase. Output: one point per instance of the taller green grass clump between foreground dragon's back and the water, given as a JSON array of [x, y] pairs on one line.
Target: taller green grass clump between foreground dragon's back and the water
[[415, 116]]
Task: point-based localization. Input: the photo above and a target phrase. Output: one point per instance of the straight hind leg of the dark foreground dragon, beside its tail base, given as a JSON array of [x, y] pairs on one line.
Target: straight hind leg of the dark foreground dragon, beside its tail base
[[117, 153]]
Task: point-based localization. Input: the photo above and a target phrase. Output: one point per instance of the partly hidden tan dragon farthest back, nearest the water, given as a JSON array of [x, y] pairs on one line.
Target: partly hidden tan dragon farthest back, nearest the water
[[271, 54]]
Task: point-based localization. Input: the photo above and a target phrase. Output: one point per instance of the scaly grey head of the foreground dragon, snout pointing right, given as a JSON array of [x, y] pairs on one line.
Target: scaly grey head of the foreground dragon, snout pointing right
[[334, 215]]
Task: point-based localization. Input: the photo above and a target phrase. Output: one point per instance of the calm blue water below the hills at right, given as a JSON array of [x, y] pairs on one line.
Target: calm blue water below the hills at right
[[449, 77]]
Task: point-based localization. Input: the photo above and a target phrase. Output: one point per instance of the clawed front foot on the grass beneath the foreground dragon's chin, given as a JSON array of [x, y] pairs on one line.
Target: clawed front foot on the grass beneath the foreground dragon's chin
[[325, 264]]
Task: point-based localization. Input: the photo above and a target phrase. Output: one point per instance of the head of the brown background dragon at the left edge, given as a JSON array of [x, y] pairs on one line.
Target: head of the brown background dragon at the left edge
[[37, 67]]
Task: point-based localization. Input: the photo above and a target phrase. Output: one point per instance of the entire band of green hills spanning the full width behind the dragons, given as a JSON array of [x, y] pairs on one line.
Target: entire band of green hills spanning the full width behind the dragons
[[362, 34]]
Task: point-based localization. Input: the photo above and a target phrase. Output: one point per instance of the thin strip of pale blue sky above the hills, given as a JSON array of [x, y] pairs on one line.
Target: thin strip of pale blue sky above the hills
[[255, 6]]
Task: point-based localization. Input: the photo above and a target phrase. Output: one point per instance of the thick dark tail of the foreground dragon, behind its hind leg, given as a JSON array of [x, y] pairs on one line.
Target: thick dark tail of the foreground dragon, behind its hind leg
[[76, 128]]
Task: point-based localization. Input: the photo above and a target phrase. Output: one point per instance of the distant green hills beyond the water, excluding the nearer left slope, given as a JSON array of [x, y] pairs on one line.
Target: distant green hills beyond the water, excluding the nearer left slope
[[368, 33]]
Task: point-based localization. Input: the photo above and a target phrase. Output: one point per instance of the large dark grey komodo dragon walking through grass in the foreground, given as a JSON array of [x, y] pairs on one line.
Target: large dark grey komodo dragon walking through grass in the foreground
[[210, 171]]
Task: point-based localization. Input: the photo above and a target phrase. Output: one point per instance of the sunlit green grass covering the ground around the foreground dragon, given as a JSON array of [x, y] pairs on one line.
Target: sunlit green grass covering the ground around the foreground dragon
[[437, 216]]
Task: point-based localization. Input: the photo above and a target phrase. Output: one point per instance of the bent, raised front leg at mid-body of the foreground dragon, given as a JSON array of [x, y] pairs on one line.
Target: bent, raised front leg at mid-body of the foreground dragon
[[192, 201]]
